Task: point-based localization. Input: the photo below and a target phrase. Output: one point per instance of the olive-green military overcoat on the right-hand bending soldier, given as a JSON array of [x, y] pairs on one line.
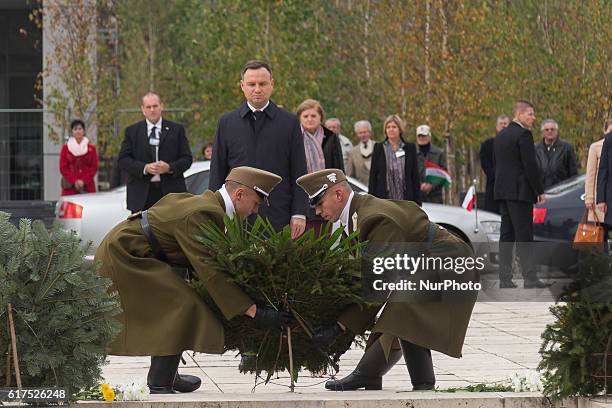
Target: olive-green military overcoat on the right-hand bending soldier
[[438, 324]]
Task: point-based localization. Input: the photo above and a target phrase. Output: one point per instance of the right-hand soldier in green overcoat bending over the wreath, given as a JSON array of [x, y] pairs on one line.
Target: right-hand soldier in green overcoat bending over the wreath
[[423, 321]]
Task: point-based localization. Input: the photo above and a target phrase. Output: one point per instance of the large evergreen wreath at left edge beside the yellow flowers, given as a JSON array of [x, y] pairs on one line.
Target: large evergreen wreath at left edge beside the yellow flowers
[[62, 311]]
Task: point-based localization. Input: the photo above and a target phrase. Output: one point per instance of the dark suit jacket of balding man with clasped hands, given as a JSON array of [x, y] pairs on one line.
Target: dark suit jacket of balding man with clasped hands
[[136, 152]]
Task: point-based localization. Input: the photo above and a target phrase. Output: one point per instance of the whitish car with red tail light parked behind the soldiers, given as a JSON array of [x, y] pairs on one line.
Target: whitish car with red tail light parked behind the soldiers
[[93, 215]]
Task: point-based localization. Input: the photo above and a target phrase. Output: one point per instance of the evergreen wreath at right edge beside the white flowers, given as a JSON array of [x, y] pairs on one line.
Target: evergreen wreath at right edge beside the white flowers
[[578, 341]]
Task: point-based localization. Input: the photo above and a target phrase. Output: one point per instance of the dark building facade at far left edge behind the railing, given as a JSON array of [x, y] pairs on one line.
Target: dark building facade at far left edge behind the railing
[[21, 137]]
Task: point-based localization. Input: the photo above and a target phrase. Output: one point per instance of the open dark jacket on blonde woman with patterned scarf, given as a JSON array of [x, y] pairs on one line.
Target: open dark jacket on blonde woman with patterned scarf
[[378, 173]]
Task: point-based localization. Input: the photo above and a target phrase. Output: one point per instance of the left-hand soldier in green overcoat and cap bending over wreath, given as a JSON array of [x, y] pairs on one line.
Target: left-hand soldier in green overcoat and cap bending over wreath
[[162, 315]]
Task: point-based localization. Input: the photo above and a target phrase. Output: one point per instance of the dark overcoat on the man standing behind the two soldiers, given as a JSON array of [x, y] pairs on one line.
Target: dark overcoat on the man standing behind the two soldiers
[[278, 147]]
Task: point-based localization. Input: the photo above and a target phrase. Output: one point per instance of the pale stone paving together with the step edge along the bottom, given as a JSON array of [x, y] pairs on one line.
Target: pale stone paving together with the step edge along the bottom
[[503, 338]]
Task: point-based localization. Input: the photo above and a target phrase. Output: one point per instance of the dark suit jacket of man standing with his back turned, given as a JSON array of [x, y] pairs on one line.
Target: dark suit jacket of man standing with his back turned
[[517, 176]]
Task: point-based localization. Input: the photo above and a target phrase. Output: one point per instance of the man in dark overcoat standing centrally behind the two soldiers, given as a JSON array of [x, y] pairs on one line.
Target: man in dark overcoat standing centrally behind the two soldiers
[[262, 135]]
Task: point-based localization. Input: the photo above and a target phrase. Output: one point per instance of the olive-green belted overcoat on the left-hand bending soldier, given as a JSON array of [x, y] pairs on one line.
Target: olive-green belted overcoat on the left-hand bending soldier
[[162, 315]]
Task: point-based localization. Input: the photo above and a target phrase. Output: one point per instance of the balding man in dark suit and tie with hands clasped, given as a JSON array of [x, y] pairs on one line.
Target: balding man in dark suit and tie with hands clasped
[[154, 153]]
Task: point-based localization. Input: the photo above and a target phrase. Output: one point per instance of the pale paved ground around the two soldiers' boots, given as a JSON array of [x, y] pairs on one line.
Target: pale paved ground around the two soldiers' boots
[[503, 338]]
